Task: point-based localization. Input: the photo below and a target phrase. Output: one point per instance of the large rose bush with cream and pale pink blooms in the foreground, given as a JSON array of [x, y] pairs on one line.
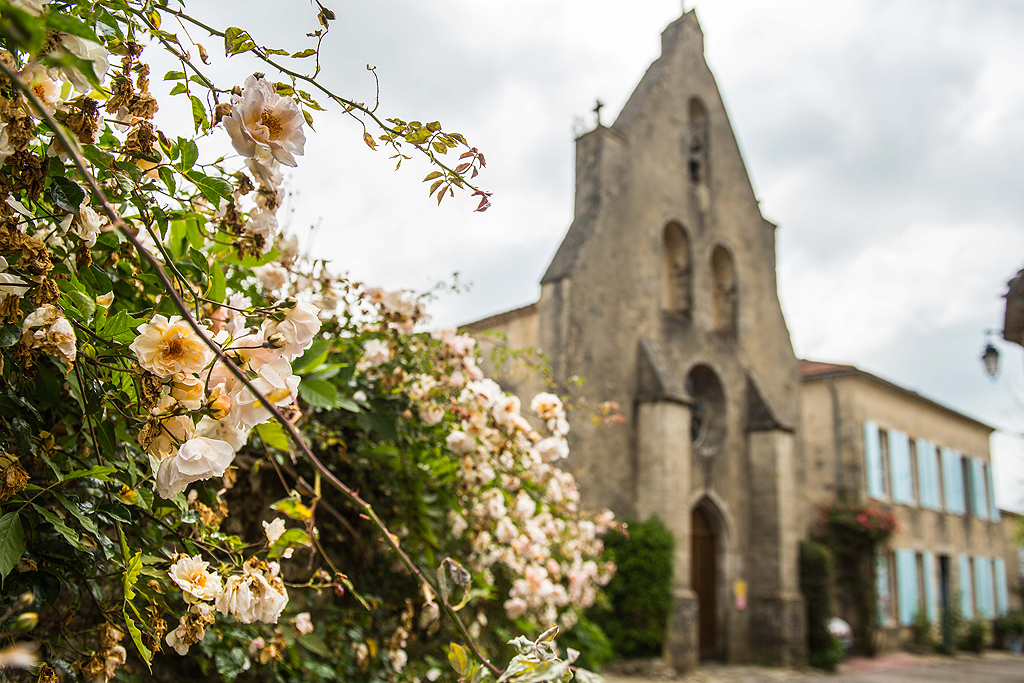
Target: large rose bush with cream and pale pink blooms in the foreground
[[220, 458]]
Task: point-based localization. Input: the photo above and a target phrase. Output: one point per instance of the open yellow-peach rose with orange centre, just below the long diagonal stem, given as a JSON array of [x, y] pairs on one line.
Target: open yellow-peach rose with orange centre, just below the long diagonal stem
[[166, 348]]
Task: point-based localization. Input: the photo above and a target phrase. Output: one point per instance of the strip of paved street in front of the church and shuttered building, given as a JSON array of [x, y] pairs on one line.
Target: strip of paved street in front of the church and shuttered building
[[900, 668]]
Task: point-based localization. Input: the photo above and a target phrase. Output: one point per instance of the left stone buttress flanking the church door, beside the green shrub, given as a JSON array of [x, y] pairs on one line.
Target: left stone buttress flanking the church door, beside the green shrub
[[663, 490]]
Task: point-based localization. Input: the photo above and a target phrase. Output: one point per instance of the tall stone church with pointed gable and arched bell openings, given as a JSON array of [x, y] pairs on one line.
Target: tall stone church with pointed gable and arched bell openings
[[663, 295]]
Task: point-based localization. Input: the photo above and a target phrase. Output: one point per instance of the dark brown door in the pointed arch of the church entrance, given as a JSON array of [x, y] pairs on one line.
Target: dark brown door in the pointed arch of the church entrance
[[710, 572]]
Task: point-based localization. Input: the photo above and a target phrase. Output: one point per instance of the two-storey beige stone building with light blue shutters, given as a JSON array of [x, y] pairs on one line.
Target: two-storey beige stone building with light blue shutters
[[932, 467]]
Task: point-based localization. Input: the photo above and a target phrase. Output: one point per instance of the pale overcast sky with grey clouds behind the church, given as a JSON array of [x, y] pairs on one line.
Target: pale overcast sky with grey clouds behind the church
[[884, 138]]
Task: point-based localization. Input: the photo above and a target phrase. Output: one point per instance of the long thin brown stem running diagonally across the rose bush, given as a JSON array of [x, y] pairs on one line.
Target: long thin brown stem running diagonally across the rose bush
[[180, 304]]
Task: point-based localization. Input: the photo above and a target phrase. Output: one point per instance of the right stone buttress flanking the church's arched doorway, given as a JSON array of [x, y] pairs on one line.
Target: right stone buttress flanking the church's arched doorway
[[778, 617]]
